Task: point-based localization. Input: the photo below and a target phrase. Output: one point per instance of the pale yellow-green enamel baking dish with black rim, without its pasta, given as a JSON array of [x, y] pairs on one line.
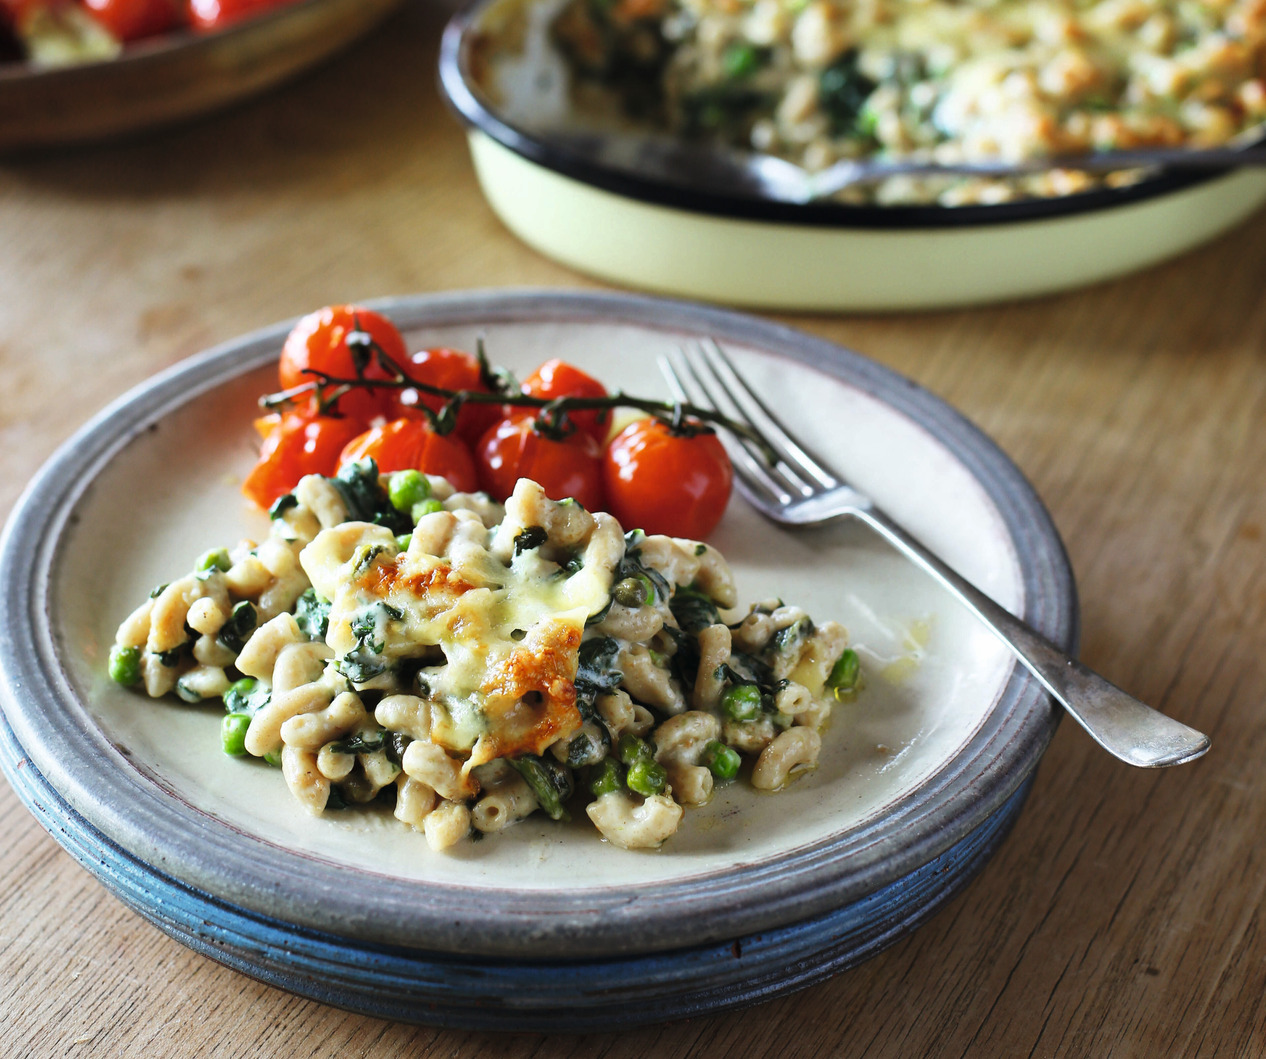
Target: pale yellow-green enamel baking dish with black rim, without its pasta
[[688, 240]]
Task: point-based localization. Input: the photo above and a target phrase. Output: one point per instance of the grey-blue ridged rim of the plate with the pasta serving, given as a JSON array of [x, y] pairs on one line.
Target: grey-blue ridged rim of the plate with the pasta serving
[[208, 856]]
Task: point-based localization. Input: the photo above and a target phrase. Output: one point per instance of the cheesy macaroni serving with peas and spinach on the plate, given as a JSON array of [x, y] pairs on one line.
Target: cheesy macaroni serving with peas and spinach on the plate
[[489, 664]]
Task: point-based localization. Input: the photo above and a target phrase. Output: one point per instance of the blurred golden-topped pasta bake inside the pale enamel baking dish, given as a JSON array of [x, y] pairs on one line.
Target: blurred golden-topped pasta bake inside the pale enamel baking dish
[[939, 80]]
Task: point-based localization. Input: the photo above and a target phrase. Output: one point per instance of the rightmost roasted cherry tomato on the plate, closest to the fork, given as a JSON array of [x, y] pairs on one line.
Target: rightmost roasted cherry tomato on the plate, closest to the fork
[[667, 483]]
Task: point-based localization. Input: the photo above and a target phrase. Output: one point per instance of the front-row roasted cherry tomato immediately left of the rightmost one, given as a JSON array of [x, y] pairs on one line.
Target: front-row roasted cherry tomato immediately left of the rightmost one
[[513, 449]]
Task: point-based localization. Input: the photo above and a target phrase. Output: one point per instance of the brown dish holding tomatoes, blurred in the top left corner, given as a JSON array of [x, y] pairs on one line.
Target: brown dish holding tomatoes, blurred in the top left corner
[[175, 77]]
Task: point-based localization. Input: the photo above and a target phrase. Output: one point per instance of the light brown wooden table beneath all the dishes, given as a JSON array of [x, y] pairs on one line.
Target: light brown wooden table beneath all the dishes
[[1124, 915]]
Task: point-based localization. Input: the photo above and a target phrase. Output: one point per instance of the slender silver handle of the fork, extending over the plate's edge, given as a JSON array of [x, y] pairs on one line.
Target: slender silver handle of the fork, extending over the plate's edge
[[1119, 723]]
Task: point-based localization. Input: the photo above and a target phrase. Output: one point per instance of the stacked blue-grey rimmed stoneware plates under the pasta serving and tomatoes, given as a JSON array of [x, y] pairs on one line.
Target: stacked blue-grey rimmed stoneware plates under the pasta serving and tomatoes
[[918, 778]]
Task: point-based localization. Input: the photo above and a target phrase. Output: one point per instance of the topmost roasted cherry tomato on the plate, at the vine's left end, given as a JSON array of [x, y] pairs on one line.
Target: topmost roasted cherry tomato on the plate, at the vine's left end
[[320, 341]]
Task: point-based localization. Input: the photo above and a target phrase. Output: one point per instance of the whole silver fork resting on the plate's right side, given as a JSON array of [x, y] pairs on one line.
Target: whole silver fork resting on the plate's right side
[[798, 491]]
